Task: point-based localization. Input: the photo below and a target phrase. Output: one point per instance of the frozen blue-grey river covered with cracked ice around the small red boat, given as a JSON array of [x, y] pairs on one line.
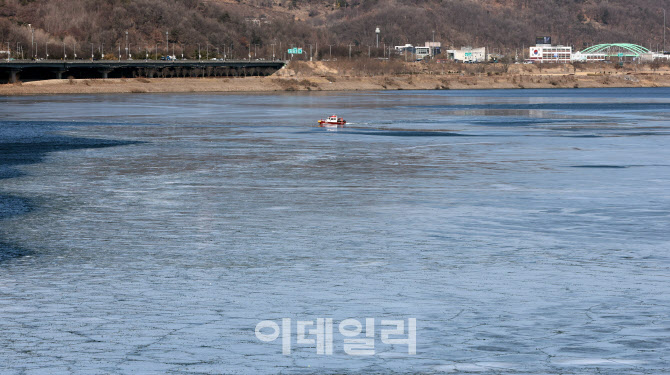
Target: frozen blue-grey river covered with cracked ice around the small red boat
[[526, 231]]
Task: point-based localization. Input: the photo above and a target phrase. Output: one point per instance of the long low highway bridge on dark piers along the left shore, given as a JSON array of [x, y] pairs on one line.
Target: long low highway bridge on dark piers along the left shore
[[27, 70]]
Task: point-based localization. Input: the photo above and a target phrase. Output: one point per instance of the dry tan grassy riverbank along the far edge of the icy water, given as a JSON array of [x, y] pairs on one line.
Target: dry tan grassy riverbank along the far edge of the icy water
[[321, 77]]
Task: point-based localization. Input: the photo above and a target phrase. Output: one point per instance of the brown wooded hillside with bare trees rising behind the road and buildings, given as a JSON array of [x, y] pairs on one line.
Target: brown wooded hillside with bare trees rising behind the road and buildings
[[219, 24]]
